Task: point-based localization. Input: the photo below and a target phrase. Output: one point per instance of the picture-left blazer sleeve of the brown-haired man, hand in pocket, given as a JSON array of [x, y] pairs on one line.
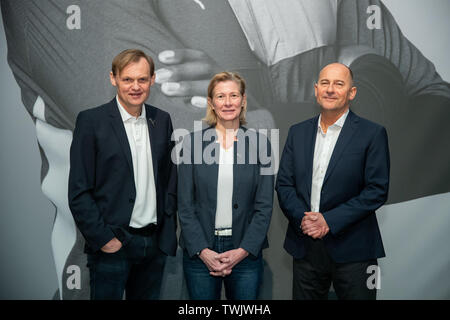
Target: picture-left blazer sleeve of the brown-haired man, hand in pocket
[[81, 185]]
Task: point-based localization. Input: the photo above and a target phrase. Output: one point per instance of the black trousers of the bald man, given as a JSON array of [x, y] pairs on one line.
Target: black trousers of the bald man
[[313, 275]]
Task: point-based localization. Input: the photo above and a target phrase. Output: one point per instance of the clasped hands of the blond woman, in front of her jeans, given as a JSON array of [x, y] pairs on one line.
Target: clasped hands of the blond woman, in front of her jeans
[[221, 264]]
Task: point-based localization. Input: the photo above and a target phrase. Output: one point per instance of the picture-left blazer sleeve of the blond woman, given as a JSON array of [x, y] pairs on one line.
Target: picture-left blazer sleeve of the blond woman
[[191, 229]]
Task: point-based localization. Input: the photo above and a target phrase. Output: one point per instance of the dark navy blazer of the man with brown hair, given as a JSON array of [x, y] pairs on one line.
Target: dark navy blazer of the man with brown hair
[[101, 180]]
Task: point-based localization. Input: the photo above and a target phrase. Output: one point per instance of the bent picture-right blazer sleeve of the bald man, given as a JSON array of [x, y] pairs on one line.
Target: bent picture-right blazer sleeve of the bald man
[[375, 191]]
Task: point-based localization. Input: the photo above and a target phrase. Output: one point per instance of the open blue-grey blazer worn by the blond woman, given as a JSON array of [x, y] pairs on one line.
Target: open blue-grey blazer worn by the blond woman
[[197, 193]]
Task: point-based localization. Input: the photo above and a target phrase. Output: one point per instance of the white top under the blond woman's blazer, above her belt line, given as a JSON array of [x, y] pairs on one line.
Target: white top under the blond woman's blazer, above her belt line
[[224, 209]]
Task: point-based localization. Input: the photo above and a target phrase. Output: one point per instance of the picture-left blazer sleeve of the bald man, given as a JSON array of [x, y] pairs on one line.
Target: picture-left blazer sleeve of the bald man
[[293, 208]]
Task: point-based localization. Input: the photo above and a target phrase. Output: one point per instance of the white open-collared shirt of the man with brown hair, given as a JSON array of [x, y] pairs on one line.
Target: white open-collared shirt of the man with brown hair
[[144, 210]]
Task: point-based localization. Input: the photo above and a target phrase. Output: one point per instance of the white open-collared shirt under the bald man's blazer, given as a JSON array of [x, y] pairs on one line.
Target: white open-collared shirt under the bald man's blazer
[[325, 143]]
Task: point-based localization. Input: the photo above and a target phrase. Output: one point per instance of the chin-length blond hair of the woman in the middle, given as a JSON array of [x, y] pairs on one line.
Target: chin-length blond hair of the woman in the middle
[[211, 117]]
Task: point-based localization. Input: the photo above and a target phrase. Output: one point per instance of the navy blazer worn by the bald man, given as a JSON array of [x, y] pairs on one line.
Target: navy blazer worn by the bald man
[[355, 185]]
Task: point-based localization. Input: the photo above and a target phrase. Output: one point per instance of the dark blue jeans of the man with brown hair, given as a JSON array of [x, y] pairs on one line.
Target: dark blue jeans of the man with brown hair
[[135, 269]]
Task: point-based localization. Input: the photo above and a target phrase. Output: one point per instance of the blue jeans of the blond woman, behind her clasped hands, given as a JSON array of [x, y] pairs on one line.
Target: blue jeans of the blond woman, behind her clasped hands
[[242, 284]]
